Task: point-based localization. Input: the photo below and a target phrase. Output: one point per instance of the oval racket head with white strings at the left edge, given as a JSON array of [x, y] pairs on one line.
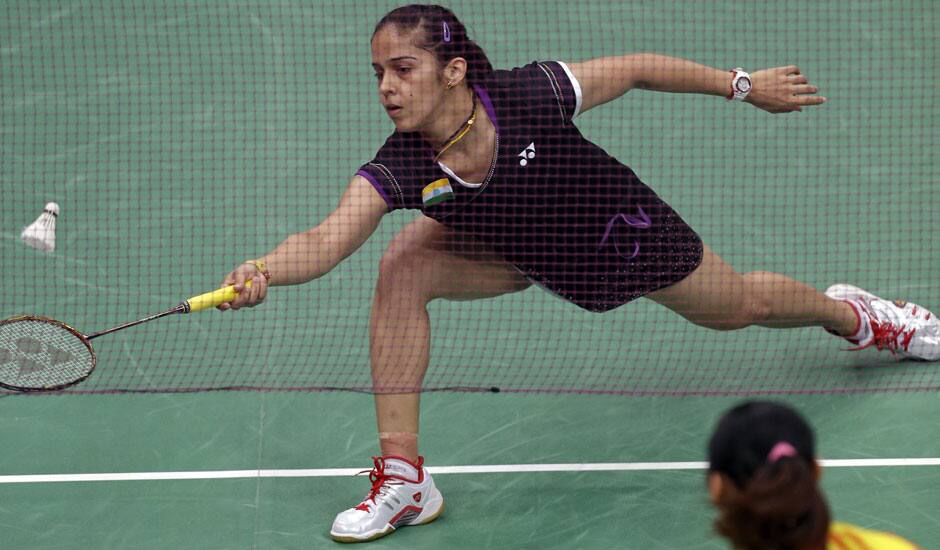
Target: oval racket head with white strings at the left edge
[[42, 354]]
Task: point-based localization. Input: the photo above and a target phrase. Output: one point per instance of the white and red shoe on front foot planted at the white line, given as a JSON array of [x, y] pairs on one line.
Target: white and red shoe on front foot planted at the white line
[[402, 493]]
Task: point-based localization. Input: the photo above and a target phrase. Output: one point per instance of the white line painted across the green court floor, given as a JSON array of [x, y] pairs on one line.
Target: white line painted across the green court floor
[[488, 469]]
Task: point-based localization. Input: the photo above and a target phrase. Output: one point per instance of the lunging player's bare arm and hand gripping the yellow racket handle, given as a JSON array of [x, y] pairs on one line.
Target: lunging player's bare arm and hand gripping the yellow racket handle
[[314, 253]]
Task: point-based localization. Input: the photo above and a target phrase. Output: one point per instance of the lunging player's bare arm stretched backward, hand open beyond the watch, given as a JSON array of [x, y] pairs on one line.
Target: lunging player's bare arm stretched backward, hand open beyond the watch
[[776, 90]]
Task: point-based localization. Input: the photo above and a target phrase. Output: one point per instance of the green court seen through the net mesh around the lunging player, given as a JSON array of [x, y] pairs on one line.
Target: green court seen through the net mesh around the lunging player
[[181, 138]]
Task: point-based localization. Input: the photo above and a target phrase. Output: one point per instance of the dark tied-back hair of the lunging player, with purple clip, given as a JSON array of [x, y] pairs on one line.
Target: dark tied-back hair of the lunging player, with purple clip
[[440, 32]]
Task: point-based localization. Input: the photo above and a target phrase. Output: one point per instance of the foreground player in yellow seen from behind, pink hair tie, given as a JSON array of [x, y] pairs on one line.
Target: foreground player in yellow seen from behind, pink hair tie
[[764, 480]]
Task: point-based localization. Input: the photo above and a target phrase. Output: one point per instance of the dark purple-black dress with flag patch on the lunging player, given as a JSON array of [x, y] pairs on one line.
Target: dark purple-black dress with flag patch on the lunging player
[[568, 215]]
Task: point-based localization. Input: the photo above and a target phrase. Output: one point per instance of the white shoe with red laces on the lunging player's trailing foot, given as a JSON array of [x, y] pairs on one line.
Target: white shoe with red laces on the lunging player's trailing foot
[[907, 330]]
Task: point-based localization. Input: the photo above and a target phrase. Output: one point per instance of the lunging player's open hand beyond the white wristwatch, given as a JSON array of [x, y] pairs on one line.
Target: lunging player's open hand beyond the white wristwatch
[[782, 90]]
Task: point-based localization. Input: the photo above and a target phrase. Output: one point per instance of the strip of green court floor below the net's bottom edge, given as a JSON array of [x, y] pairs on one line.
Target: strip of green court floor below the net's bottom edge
[[570, 510]]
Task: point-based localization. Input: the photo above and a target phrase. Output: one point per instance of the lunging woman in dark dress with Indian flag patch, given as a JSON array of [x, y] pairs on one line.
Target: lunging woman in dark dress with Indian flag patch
[[512, 194]]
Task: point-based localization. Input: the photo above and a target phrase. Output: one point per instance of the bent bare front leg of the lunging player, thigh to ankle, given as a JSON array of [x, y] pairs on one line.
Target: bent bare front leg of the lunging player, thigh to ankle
[[424, 262]]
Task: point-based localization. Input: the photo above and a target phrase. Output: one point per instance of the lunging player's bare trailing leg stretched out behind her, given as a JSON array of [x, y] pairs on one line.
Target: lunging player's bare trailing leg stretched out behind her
[[716, 296]]
